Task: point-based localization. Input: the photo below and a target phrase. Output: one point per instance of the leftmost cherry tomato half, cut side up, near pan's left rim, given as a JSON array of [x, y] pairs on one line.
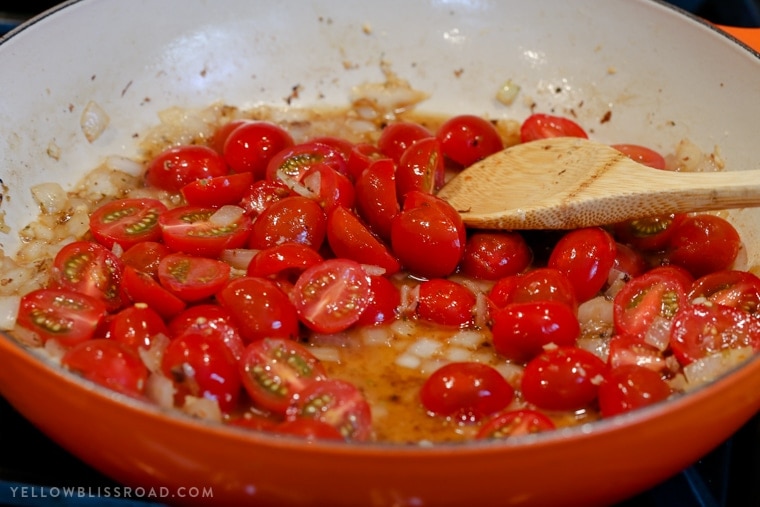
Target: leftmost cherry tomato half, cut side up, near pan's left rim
[[66, 316]]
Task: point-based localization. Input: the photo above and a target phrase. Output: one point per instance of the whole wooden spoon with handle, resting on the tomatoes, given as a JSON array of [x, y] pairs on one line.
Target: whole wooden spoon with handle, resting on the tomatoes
[[566, 182]]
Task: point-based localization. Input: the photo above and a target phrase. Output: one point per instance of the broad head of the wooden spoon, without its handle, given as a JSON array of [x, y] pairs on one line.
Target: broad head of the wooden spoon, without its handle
[[556, 183]]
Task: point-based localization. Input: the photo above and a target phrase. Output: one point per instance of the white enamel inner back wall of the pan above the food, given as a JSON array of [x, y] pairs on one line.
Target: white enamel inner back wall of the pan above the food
[[659, 75]]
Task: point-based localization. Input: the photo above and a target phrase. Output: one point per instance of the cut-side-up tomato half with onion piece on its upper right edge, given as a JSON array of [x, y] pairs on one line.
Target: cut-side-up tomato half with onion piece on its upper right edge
[[194, 230]]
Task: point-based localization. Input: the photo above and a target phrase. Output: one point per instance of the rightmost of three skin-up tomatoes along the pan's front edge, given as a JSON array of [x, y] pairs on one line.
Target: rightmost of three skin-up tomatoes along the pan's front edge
[[629, 387]]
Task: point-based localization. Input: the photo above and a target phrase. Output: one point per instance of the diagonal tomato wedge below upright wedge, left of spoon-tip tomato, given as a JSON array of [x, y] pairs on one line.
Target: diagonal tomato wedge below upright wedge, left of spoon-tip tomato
[[348, 237]]
